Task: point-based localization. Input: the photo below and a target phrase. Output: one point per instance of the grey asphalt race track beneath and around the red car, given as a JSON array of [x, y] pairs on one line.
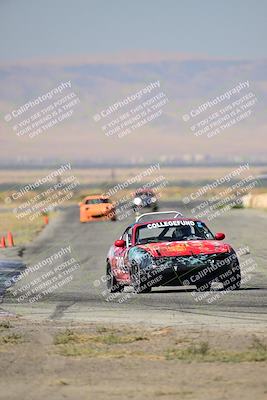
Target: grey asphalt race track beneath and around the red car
[[84, 297]]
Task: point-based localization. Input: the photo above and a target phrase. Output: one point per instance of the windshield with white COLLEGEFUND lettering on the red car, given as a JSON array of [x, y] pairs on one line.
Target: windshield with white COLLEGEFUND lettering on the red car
[[168, 231]]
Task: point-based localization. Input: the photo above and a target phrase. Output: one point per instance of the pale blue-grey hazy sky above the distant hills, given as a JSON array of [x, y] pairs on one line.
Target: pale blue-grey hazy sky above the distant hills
[[54, 28]]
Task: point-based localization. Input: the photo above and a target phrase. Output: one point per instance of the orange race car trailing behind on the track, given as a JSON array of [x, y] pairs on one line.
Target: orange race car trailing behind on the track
[[97, 207]]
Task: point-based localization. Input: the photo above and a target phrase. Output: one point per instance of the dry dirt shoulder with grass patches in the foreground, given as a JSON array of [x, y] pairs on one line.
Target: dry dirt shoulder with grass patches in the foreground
[[76, 360]]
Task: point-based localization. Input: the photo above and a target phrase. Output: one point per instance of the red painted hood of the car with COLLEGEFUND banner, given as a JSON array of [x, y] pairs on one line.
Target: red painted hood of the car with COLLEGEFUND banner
[[185, 248]]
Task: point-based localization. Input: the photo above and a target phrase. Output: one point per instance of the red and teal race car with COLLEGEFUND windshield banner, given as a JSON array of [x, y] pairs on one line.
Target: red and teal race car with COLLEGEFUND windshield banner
[[173, 251]]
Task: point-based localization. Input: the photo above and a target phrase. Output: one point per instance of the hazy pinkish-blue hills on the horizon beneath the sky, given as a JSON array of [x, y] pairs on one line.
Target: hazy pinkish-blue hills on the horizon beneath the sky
[[187, 81]]
